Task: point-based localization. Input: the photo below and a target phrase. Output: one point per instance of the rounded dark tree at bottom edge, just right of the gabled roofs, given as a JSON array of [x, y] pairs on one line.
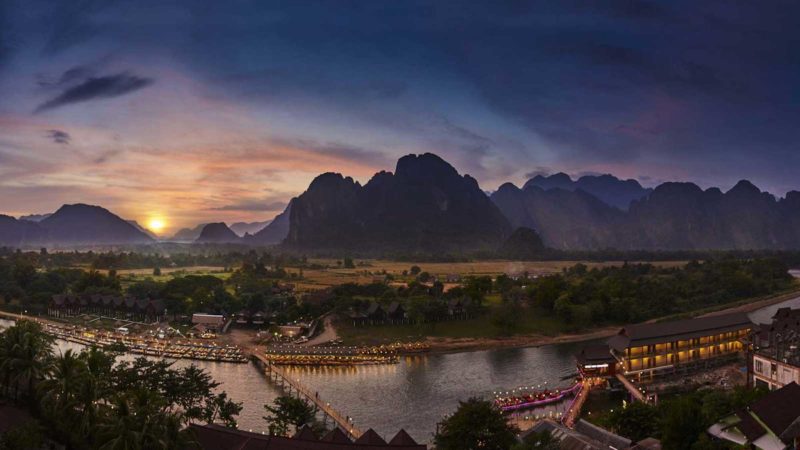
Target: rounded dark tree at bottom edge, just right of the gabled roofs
[[476, 425]]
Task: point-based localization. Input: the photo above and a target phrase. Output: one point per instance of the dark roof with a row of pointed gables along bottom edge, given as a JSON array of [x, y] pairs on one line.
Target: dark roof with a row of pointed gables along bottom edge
[[216, 437]]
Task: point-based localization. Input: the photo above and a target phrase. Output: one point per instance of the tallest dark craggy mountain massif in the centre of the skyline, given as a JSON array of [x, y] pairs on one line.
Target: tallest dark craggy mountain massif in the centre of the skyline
[[425, 206]]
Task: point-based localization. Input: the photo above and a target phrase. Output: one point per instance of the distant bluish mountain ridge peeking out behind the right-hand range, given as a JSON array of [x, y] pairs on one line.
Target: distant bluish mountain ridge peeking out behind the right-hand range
[[608, 188]]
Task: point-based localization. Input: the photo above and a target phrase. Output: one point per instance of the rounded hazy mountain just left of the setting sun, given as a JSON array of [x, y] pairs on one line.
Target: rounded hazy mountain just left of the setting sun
[[87, 224]]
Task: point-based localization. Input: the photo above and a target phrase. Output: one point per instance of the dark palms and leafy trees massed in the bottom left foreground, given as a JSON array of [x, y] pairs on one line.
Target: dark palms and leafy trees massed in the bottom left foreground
[[90, 400]]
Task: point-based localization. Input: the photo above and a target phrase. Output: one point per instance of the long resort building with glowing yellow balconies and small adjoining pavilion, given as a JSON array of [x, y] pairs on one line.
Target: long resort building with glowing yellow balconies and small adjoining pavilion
[[653, 349]]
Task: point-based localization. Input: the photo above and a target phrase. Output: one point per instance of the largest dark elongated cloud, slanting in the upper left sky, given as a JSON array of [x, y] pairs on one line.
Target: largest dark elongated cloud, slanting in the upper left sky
[[96, 88]]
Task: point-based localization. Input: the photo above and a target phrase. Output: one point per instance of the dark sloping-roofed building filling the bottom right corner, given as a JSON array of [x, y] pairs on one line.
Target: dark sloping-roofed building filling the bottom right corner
[[772, 423]]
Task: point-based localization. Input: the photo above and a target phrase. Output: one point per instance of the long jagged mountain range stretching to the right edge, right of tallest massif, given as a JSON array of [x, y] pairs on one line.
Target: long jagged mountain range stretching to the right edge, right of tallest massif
[[675, 216]]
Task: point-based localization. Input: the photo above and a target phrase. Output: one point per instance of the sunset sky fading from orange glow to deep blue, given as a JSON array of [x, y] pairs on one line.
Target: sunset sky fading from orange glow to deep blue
[[197, 111]]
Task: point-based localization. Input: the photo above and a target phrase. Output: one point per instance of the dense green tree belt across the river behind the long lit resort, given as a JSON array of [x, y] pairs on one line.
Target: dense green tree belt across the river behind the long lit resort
[[636, 292]]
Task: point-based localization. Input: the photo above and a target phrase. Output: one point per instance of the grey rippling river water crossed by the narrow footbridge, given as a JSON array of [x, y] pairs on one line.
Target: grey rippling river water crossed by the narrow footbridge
[[413, 394]]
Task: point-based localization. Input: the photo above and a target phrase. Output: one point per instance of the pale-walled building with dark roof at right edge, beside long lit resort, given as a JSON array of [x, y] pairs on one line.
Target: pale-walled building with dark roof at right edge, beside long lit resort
[[776, 351]]
